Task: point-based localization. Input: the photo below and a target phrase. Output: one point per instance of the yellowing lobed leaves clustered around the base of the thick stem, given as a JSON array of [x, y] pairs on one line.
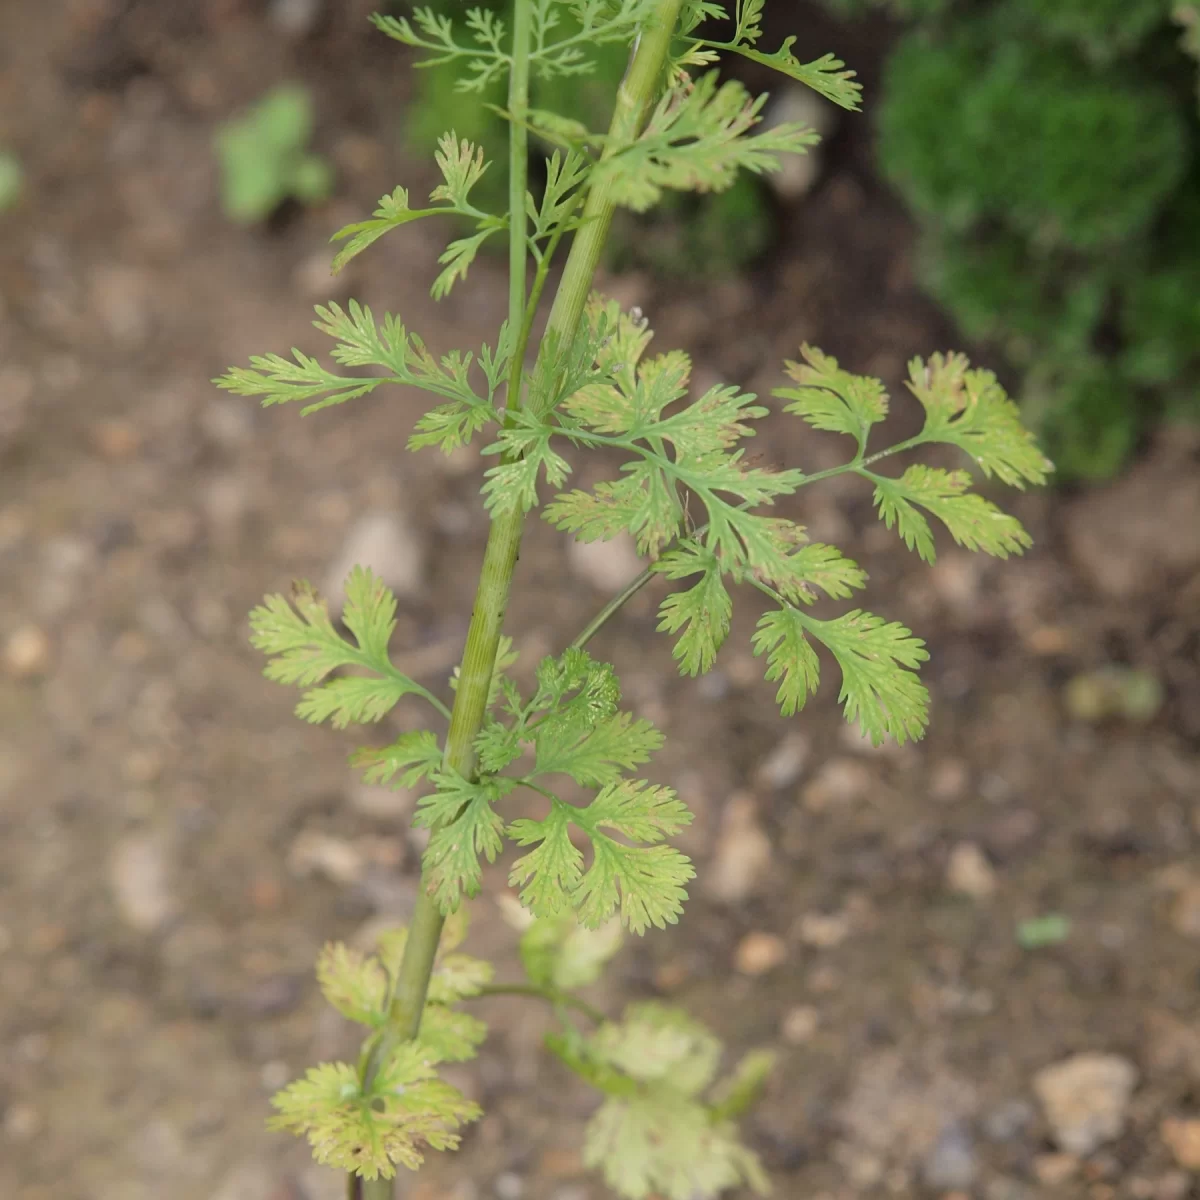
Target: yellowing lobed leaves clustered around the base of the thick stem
[[406, 1111]]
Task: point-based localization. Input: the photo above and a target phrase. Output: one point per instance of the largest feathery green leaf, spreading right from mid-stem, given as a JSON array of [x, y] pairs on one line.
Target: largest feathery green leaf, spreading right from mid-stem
[[692, 453]]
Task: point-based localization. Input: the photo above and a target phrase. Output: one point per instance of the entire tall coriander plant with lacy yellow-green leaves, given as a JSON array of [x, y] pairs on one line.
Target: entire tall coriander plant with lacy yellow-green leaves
[[701, 514]]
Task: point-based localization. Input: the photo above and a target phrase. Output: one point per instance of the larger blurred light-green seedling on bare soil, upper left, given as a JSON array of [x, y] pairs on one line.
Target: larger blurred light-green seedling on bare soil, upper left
[[265, 159]]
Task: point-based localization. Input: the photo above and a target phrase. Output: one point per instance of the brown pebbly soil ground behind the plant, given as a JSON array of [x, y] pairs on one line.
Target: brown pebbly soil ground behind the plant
[[157, 934]]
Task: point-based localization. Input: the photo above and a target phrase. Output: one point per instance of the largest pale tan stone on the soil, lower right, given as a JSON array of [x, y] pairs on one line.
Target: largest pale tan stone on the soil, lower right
[[1085, 1100]]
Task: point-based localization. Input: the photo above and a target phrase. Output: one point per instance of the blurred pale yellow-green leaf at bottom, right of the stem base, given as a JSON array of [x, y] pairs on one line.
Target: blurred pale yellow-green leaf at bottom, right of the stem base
[[656, 1133]]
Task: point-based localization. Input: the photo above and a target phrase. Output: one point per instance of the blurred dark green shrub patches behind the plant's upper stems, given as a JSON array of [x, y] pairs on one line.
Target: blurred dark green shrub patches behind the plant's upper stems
[[688, 237]]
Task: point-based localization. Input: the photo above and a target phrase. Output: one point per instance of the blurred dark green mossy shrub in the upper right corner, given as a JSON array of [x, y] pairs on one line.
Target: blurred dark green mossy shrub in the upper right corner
[[1051, 152]]
